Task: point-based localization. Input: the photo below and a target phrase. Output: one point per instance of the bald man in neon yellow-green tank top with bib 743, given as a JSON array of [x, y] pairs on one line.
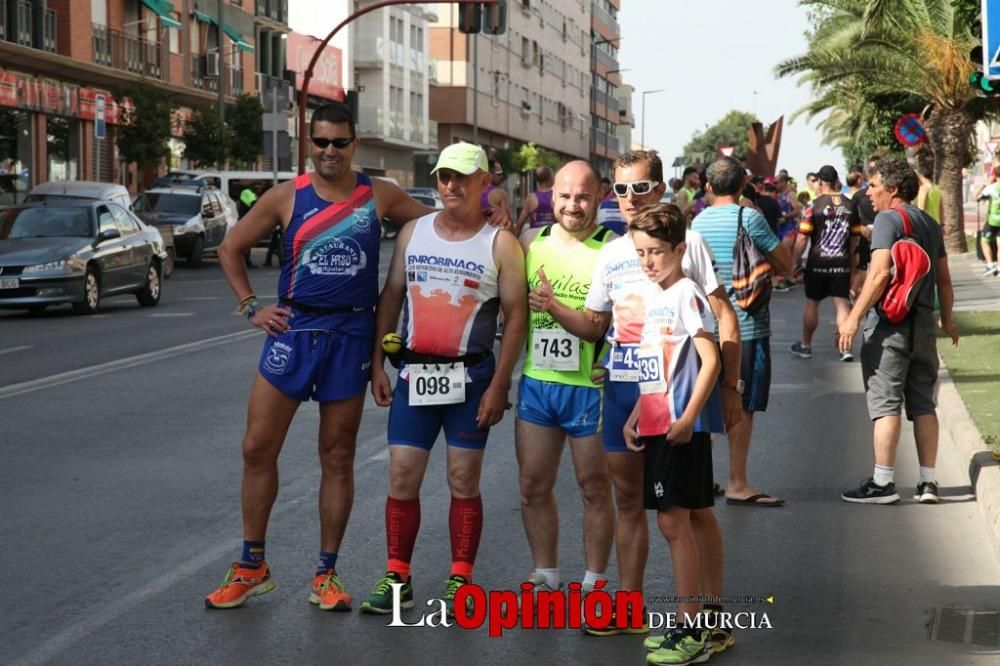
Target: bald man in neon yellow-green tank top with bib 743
[[558, 397]]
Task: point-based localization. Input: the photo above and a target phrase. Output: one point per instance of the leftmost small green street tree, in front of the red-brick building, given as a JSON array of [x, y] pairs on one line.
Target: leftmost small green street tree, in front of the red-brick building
[[144, 130]]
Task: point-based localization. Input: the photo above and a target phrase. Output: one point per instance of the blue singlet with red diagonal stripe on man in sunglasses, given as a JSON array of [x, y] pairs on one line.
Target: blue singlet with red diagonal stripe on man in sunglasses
[[331, 257]]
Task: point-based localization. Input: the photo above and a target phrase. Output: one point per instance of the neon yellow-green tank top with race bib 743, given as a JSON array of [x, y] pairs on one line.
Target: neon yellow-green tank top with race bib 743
[[554, 355]]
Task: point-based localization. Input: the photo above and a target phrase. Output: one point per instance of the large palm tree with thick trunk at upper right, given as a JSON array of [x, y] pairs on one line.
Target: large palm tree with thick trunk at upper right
[[866, 52]]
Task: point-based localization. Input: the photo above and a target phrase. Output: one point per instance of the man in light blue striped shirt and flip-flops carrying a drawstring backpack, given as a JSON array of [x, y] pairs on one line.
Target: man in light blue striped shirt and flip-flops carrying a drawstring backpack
[[746, 253]]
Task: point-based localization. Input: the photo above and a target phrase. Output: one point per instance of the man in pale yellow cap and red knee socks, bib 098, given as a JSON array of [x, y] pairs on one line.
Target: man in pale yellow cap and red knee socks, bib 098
[[453, 272]]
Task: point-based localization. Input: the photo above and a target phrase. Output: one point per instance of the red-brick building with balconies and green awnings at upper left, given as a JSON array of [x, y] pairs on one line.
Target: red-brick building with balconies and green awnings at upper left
[[57, 57]]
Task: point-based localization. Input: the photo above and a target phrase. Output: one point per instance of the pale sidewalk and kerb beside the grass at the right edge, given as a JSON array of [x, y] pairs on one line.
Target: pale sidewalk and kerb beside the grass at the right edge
[[973, 292]]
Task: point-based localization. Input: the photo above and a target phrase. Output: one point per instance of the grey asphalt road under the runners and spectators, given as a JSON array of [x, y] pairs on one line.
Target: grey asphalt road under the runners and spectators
[[119, 491]]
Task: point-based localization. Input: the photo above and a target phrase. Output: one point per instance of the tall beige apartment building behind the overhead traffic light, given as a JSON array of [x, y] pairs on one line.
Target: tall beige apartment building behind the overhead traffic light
[[531, 84]]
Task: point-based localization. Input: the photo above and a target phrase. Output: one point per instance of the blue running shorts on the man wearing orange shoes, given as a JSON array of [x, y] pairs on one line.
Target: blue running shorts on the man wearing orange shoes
[[318, 365]]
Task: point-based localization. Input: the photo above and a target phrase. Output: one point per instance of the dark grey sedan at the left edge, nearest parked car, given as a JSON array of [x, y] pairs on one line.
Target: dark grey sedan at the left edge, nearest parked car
[[77, 253]]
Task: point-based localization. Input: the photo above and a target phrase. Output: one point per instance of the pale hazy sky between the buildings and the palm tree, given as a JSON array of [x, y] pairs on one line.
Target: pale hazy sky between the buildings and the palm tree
[[710, 56]]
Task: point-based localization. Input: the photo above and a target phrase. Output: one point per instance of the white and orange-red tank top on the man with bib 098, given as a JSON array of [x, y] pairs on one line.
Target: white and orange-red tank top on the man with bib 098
[[452, 296]]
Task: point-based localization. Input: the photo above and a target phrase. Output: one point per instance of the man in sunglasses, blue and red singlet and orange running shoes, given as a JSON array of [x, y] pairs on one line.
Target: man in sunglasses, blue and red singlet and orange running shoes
[[319, 343]]
